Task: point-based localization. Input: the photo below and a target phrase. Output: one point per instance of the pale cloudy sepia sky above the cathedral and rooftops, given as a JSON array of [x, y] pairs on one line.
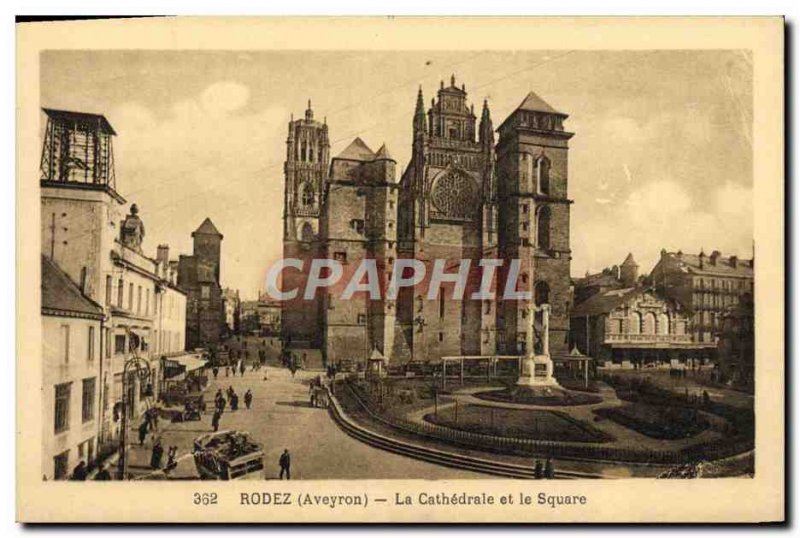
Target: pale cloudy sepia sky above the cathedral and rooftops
[[661, 157]]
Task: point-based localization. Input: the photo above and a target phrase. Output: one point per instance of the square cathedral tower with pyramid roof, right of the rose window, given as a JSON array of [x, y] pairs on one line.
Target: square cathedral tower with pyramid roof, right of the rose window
[[534, 221]]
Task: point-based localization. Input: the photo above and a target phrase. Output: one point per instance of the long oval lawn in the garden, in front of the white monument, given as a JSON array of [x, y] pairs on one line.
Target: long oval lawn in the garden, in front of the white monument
[[520, 423]]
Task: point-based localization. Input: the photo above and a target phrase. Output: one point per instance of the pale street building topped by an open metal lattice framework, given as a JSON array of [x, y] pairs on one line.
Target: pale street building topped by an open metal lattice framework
[[86, 233]]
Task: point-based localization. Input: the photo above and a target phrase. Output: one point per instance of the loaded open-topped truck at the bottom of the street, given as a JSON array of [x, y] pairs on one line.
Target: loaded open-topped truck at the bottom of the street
[[228, 455]]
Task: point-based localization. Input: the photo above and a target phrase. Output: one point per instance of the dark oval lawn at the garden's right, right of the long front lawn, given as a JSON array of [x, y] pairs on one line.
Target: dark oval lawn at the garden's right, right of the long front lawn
[[658, 422]]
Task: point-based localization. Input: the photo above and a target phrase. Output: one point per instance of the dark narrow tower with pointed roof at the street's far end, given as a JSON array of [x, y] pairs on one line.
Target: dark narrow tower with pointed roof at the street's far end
[[199, 276]]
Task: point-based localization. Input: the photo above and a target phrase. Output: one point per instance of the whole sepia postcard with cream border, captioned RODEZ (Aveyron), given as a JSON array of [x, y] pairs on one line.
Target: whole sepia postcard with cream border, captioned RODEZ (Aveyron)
[[401, 270]]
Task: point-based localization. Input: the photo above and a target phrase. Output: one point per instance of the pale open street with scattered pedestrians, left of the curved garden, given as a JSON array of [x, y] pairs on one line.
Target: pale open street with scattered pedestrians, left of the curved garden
[[281, 417]]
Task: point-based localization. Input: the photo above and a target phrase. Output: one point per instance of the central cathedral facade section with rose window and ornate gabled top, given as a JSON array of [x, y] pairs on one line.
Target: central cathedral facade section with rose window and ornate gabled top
[[446, 212]]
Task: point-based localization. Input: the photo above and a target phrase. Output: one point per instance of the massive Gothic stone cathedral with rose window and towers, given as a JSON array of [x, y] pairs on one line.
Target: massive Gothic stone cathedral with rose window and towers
[[463, 196]]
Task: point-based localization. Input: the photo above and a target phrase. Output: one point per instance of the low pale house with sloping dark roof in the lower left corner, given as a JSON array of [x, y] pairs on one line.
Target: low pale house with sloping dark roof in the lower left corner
[[72, 325]]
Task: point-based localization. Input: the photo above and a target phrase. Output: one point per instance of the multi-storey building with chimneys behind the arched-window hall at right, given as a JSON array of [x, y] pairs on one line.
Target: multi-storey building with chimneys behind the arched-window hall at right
[[706, 285]]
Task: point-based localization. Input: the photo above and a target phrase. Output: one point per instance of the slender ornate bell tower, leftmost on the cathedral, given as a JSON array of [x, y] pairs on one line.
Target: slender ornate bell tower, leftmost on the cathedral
[[305, 170]]
